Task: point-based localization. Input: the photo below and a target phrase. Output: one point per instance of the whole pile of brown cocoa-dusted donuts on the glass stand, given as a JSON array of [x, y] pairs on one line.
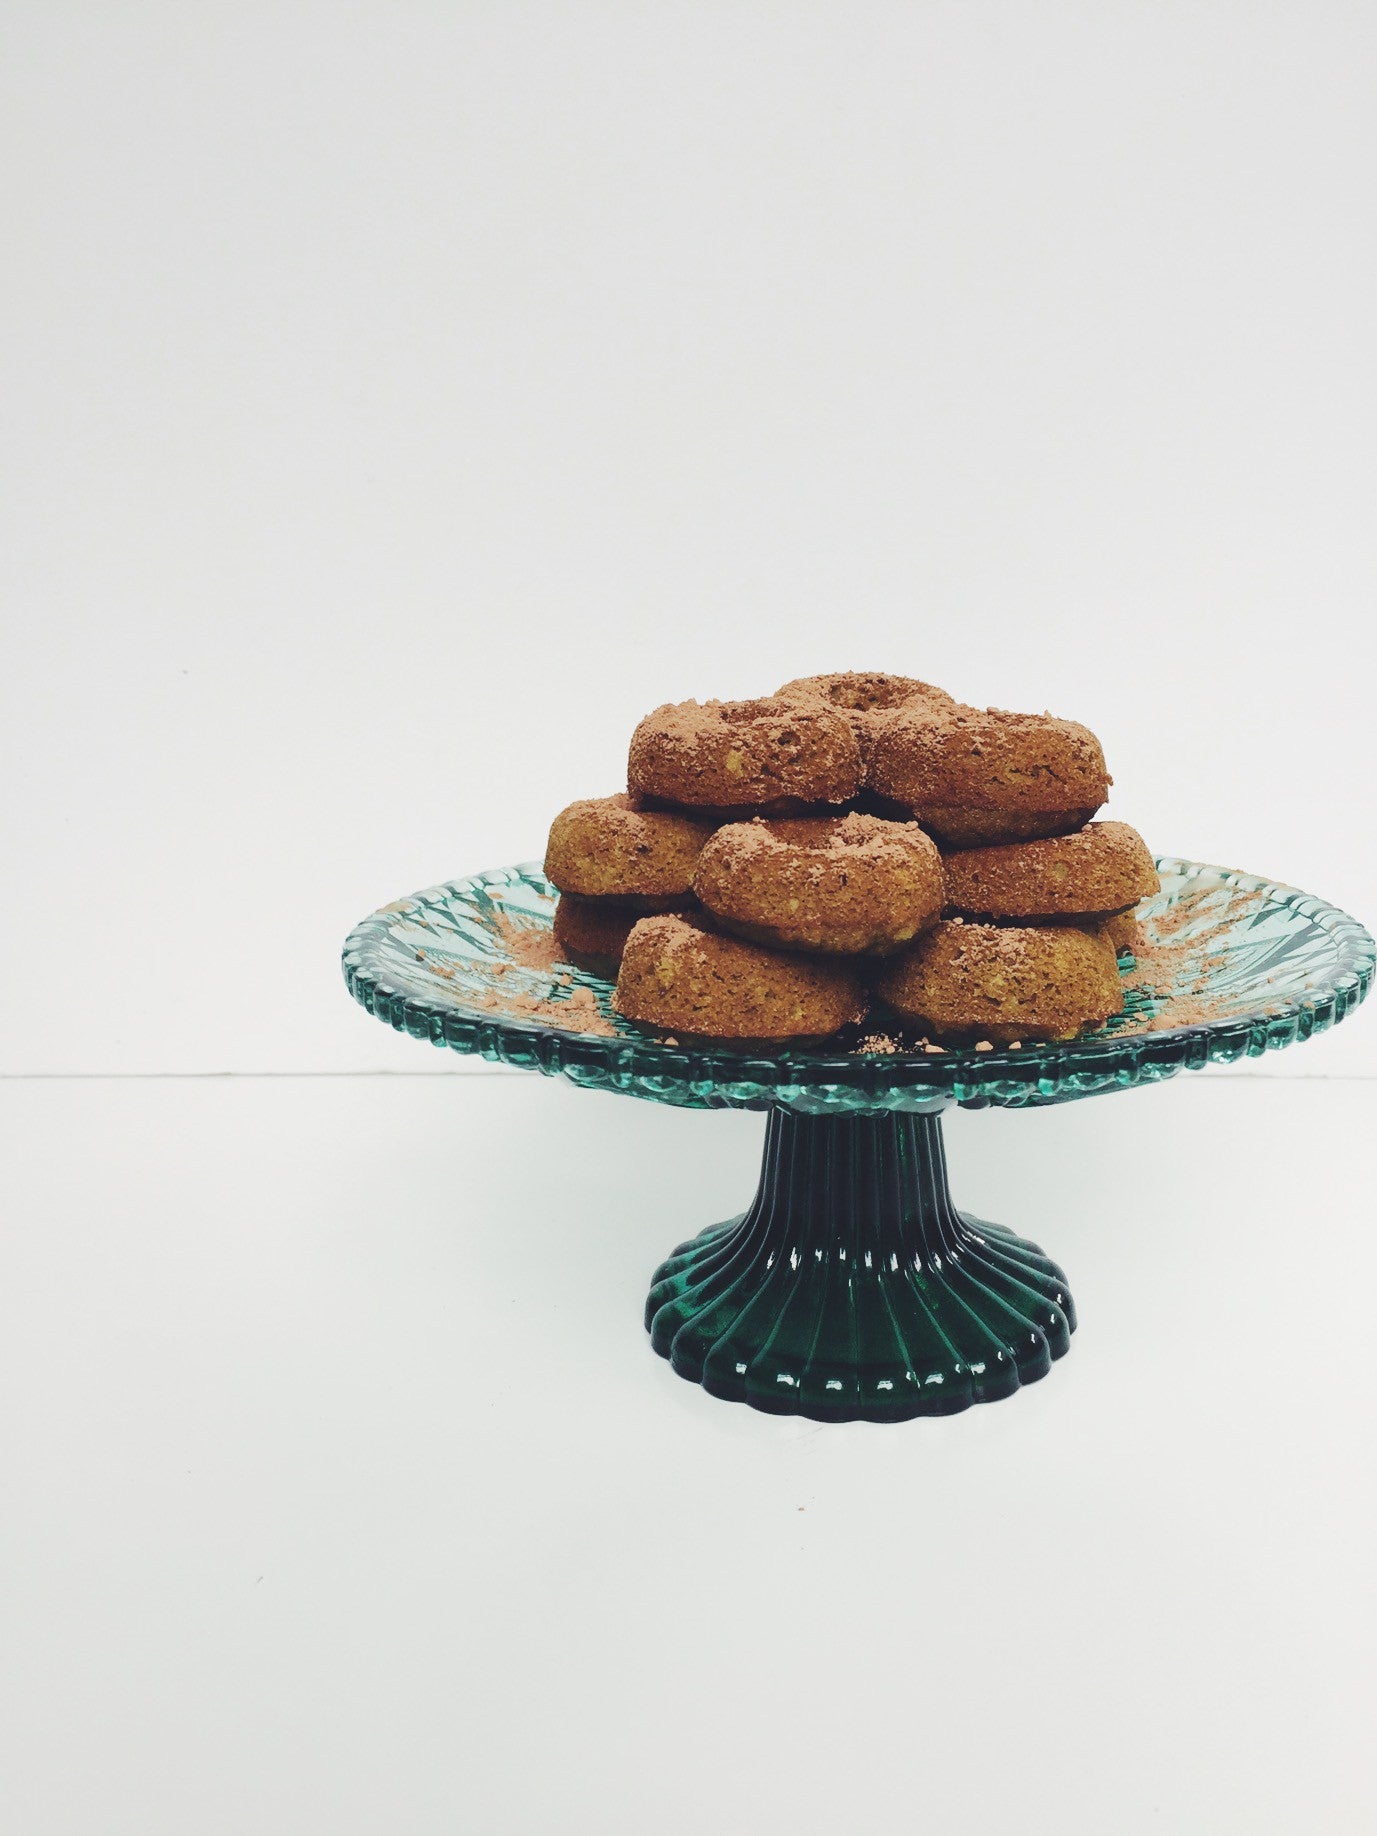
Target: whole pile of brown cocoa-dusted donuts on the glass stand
[[779, 869]]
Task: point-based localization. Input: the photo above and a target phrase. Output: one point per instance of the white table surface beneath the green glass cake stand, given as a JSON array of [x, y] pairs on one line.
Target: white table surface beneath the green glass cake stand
[[344, 1494]]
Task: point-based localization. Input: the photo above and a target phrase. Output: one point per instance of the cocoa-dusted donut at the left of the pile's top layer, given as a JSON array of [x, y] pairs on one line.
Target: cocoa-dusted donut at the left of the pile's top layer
[[768, 757]]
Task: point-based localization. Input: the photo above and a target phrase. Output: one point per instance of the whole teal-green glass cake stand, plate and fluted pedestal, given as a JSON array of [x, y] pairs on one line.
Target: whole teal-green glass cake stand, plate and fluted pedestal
[[853, 1288]]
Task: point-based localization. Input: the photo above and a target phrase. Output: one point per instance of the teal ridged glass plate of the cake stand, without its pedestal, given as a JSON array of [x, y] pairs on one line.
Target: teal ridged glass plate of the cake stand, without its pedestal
[[1268, 967]]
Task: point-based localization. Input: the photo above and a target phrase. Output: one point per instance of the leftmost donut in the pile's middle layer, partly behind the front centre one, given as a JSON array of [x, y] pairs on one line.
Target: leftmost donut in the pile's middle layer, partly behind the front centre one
[[603, 847]]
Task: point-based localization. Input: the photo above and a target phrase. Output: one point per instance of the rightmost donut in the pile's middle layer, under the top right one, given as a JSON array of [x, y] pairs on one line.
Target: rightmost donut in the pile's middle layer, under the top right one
[[1101, 869]]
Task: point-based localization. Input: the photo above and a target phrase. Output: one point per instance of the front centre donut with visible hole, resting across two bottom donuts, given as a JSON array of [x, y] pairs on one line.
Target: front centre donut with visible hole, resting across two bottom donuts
[[825, 884]]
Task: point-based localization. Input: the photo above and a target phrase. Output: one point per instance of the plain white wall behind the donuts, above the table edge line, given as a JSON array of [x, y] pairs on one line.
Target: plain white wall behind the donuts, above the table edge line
[[403, 399]]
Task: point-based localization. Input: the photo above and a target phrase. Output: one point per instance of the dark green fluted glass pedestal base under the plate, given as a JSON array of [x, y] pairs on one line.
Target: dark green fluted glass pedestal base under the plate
[[855, 1290]]
